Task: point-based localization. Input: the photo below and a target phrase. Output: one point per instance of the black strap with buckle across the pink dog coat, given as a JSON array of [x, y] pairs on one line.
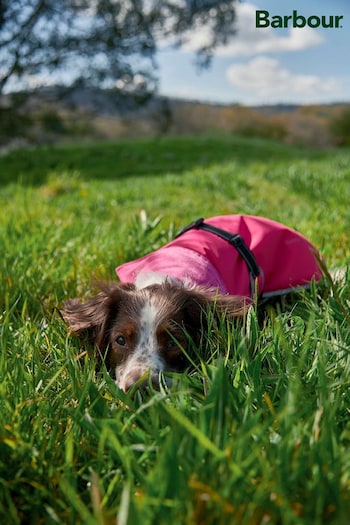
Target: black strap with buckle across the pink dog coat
[[233, 238]]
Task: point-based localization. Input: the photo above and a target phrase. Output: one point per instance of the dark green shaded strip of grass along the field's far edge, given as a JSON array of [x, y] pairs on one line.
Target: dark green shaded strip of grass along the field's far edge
[[140, 158]]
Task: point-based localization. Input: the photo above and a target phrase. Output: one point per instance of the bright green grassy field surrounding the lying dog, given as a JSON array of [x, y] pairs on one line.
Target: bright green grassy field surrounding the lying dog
[[258, 434]]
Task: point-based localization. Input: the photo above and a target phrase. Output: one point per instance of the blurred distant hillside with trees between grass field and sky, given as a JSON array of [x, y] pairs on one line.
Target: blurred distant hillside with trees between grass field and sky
[[60, 114]]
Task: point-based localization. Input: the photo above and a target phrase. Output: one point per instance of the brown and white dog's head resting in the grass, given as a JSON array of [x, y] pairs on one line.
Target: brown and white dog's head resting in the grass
[[149, 330]]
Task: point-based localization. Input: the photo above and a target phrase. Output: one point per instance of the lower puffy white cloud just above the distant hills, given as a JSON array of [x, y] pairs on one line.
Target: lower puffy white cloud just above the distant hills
[[265, 80]]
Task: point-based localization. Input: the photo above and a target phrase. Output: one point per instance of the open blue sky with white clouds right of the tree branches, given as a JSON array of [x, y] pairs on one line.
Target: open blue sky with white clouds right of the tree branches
[[267, 65]]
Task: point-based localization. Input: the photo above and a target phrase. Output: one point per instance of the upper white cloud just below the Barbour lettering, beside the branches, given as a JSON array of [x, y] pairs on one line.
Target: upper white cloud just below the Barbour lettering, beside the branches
[[250, 40]]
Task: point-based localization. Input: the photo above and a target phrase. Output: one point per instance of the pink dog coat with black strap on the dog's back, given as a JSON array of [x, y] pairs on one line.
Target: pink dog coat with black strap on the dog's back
[[237, 254]]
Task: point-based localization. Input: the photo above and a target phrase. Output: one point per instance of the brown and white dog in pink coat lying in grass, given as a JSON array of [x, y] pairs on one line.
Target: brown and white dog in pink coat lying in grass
[[149, 322]]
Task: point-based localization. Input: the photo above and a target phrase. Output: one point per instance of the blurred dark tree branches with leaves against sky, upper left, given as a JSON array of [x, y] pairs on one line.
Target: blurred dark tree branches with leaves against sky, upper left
[[110, 43]]
